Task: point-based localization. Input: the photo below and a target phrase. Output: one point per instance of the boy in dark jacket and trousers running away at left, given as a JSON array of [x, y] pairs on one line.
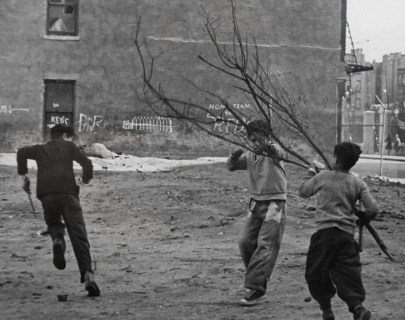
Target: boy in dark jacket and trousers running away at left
[[59, 195]]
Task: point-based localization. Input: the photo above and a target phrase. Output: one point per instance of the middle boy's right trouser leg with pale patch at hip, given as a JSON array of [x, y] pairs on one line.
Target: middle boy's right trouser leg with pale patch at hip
[[269, 239]]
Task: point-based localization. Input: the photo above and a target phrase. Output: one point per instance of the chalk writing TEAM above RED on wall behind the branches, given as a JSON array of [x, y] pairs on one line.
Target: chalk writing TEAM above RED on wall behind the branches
[[225, 122]]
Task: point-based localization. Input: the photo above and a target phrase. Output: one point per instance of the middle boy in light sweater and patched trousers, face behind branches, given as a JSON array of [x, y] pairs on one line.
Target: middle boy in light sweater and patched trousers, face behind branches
[[267, 184]]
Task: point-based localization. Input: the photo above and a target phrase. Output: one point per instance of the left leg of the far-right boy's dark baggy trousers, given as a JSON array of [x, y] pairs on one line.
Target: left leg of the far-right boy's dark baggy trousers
[[320, 255]]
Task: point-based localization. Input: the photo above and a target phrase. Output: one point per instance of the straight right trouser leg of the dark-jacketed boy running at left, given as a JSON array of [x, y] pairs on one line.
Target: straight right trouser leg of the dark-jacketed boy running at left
[[76, 228]]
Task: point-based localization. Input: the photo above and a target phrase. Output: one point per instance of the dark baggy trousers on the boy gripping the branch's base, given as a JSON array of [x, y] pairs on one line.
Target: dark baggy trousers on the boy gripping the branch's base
[[333, 265]]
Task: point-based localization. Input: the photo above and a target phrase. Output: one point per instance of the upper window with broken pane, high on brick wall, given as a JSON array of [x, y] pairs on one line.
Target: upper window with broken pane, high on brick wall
[[62, 17]]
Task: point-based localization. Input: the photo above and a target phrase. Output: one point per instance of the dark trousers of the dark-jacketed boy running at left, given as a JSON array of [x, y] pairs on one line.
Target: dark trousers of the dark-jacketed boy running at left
[[67, 206]]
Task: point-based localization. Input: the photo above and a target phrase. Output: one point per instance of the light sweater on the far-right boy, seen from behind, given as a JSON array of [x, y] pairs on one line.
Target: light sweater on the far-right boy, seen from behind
[[338, 194]]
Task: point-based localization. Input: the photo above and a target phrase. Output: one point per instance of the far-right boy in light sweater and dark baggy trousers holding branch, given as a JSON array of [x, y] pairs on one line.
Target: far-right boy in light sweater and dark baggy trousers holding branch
[[333, 260]]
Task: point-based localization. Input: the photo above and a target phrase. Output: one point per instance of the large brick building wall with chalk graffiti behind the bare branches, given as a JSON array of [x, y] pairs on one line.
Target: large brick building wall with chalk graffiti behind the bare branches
[[74, 62]]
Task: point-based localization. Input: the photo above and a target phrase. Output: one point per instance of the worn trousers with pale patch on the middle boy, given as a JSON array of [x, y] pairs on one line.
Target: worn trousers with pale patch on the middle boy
[[261, 240]]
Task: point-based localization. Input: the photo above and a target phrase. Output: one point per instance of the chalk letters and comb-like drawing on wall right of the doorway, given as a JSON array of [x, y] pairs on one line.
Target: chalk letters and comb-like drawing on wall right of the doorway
[[98, 123]]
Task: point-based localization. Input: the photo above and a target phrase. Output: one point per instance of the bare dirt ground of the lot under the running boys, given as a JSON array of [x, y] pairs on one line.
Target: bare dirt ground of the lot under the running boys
[[166, 247]]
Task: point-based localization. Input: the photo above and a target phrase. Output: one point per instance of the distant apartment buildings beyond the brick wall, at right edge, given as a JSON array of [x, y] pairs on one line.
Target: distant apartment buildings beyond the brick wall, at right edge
[[381, 88]]
